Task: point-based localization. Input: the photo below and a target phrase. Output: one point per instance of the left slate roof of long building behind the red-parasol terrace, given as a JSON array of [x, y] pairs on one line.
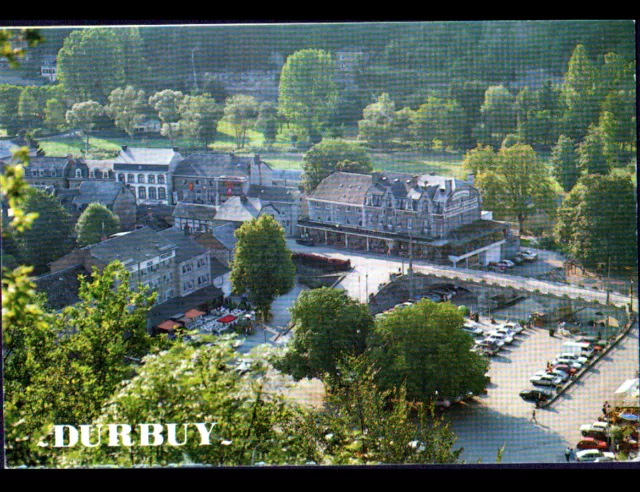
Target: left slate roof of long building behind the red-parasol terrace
[[137, 246]]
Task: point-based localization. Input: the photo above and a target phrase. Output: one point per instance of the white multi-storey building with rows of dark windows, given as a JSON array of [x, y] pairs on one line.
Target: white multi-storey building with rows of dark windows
[[148, 172]]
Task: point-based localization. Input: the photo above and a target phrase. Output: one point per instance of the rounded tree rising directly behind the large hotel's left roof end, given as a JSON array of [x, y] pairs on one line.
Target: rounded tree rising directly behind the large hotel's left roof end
[[325, 157]]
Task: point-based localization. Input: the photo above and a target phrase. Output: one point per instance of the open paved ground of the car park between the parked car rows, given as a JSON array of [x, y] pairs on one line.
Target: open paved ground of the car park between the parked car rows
[[502, 418]]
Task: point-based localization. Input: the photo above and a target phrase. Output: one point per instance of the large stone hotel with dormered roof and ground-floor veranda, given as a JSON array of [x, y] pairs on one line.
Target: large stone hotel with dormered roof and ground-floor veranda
[[432, 217]]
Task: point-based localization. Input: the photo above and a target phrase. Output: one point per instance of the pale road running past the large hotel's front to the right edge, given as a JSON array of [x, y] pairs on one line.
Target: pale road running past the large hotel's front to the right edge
[[373, 269]]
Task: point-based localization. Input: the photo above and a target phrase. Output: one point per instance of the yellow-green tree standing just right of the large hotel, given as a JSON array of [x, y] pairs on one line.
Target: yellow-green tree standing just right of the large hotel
[[518, 186]]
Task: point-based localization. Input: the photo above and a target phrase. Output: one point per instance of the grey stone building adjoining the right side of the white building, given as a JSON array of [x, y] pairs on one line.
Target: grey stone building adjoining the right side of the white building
[[211, 178]]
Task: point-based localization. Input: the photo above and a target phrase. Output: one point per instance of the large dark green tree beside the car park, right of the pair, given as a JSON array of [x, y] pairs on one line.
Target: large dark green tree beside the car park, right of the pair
[[424, 348]]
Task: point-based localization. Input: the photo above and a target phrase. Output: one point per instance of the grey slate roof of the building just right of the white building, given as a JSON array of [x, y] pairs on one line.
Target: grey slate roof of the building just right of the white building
[[213, 165]]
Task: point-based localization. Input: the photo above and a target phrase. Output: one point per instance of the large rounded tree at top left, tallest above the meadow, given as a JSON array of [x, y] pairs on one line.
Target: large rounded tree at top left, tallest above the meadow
[[91, 64]]
